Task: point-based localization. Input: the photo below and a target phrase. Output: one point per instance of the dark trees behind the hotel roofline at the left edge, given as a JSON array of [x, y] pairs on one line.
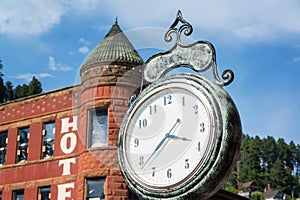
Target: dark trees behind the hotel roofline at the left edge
[[9, 93]]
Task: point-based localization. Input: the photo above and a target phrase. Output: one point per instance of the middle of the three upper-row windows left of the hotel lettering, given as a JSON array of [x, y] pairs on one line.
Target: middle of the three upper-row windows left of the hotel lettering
[[22, 145]]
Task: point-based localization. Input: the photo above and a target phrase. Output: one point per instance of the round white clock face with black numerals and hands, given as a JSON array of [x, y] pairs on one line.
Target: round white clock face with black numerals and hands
[[169, 136]]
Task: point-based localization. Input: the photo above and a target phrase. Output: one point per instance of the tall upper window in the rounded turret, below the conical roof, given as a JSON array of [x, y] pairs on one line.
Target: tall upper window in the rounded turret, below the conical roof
[[97, 128]]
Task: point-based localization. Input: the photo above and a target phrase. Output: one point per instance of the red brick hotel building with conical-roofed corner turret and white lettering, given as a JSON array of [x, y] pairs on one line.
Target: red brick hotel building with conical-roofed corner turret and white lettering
[[63, 144]]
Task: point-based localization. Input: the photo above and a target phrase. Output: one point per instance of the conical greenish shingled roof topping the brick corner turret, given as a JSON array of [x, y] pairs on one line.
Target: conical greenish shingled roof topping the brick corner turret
[[115, 48]]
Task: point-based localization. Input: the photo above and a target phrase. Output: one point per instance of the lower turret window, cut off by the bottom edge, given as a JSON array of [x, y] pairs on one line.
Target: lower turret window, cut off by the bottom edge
[[95, 189]]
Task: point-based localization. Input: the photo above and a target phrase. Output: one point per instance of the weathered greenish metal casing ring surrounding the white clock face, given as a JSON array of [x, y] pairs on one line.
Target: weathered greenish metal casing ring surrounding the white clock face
[[215, 166]]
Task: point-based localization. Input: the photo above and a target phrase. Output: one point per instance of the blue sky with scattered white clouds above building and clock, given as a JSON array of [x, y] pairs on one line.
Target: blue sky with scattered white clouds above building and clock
[[258, 39]]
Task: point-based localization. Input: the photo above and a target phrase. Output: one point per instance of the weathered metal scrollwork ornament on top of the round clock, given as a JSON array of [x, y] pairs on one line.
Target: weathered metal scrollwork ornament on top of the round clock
[[199, 56]]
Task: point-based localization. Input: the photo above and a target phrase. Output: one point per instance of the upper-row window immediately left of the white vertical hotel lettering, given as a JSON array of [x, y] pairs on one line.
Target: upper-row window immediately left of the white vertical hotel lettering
[[48, 139]]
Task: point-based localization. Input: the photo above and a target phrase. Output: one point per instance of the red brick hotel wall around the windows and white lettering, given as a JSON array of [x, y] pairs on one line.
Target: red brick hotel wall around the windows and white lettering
[[71, 165]]
